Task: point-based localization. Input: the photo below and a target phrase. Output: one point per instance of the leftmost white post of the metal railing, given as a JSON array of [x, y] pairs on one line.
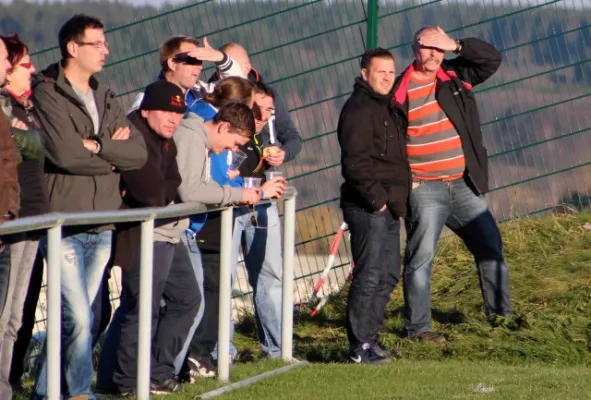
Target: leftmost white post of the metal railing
[[53, 339]]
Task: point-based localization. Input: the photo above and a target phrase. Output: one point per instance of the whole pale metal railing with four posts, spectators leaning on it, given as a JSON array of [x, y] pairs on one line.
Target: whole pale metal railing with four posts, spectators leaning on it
[[54, 223]]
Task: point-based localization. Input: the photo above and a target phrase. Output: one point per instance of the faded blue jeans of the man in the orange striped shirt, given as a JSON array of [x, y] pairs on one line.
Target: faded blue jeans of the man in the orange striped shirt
[[433, 205]]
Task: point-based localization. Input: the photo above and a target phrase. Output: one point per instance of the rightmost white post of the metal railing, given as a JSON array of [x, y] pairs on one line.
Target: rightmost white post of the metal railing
[[287, 281]]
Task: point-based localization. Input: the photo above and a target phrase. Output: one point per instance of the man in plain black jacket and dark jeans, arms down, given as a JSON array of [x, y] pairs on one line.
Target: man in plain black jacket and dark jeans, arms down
[[373, 198]]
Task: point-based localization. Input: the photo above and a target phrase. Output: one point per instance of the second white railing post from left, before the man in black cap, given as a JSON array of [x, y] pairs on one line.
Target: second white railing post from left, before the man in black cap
[[145, 310]]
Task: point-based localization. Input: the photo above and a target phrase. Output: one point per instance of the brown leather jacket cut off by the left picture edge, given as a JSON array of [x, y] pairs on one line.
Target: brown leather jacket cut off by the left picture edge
[[9, 195]]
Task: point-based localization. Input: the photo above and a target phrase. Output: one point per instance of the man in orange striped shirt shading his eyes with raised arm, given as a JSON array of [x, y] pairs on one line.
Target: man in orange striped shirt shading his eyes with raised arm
[[450, 171]]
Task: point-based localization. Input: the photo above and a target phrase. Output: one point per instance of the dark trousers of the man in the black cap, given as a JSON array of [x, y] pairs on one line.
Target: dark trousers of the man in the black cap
[[173, 281]]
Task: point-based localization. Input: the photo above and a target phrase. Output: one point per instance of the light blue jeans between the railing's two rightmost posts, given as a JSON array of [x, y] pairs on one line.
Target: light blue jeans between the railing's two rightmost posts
[[264, 263]]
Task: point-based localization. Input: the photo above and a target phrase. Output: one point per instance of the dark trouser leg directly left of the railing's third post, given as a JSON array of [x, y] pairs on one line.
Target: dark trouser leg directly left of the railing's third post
[[206, 336]]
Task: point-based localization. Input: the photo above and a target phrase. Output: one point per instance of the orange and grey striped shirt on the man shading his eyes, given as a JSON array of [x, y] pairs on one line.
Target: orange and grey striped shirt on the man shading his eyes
[[434, 147]]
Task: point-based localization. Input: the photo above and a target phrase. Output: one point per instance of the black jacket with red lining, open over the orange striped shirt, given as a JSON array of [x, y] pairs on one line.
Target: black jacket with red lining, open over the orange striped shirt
[[477, 62]]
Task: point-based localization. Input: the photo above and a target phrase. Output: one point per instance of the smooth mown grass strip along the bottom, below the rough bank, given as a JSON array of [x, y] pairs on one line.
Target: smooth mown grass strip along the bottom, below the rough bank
[[422, 380]]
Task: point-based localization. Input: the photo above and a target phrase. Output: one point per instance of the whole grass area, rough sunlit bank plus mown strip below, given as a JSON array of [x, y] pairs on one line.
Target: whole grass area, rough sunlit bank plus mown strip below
[[545, 354]]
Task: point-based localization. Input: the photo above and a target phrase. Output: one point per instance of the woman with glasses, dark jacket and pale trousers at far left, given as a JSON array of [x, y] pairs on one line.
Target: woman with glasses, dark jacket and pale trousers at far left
[[14, 100]]
